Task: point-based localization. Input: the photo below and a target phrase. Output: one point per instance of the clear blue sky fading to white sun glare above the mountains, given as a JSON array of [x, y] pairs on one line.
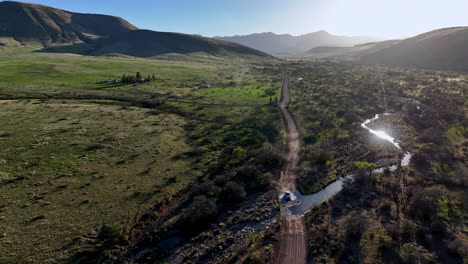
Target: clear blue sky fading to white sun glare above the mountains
[[380, 18]]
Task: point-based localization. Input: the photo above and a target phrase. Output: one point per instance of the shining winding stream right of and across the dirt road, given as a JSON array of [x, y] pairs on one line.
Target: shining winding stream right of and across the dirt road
[[301, 204]]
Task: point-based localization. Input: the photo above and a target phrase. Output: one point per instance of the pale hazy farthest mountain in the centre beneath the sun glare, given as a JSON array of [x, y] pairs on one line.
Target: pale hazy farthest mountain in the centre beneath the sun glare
[[287, 44]]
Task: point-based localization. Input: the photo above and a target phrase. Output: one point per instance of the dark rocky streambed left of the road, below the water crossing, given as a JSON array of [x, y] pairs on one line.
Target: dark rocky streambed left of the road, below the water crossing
[[235, 231]]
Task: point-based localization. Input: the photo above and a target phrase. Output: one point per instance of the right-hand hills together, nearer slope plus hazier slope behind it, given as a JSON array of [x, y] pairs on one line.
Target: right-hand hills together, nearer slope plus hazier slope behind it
[[442, 49]]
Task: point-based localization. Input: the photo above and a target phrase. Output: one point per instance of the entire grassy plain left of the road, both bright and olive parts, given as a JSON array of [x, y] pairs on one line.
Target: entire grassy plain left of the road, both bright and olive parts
[[77, 155]]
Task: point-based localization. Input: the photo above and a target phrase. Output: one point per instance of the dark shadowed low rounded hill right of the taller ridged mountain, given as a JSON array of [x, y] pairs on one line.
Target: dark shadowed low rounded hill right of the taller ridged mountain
[[147, 43]]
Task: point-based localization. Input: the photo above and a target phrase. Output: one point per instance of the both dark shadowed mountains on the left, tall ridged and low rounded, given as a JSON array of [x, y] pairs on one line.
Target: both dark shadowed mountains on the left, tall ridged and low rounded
[[57, 30]]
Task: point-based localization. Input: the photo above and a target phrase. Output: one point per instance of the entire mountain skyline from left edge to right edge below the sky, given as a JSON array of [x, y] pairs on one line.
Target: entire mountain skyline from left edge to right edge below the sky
[[49, 29]]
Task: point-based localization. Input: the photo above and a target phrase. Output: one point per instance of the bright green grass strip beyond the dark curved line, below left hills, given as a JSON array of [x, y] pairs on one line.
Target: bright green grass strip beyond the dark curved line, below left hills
[[25, 68]]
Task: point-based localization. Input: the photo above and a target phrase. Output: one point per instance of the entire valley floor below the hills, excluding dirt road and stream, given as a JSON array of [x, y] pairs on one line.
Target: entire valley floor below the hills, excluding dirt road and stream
[[171, 171]]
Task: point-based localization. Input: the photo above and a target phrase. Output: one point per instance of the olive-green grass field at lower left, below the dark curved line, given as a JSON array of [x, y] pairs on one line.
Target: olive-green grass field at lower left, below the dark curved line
[[69, 167]]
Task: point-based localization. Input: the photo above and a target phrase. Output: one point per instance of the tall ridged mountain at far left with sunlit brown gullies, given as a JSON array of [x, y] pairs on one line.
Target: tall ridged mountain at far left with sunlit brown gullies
[[26, 23]]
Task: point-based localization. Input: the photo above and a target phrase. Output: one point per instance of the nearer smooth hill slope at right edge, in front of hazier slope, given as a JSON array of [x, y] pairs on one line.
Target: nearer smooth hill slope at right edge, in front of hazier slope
[[443, 49]]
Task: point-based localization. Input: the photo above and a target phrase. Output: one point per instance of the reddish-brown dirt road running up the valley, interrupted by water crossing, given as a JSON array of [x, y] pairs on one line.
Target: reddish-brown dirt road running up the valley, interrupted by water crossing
[[292, 244]]
